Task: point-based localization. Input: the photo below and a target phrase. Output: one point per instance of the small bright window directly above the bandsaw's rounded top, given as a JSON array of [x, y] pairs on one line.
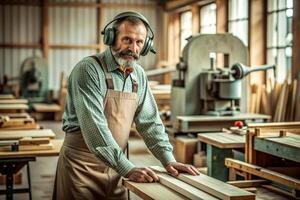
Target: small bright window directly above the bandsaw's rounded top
[[208, 18]]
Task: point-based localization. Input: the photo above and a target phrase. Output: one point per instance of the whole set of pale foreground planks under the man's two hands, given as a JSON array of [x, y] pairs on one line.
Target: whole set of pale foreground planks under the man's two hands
[[187, 186]]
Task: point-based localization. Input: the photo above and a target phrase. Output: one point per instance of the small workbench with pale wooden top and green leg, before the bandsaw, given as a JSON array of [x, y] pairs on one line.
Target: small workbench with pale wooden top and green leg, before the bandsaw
[[220, 145]]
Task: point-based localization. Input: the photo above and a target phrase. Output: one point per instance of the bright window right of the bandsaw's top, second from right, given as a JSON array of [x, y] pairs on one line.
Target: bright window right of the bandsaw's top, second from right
[[238, 19]]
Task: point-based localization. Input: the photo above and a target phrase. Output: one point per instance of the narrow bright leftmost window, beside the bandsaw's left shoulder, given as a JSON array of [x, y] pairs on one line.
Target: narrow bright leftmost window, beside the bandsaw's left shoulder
[[185, 27]]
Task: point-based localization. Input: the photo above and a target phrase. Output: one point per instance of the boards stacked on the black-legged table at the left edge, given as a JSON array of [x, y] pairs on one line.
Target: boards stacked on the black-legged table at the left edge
[[27, 140]]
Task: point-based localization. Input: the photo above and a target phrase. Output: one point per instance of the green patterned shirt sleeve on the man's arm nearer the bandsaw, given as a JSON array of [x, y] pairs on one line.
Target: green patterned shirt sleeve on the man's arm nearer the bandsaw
[[151, 128]]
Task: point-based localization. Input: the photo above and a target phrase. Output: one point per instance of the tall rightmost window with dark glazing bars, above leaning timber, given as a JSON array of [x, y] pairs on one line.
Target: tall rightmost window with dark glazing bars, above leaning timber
[[279, 37]]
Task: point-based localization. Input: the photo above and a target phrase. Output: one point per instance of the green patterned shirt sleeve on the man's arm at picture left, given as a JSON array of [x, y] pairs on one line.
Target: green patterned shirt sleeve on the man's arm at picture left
[[84, 86]]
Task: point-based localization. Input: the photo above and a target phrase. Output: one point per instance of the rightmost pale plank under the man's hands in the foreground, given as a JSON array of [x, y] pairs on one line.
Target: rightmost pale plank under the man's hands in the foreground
[[212, 186]]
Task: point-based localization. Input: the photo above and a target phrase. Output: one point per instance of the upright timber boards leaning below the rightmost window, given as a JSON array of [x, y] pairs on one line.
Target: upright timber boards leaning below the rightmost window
[[278, 100]]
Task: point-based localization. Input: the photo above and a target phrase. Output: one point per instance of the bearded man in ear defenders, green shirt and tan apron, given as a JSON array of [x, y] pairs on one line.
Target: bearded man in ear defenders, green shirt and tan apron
[[106, 94]]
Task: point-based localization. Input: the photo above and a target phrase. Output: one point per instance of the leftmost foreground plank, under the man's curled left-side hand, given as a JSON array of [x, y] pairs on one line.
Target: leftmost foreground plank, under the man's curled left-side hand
[[150, 191]]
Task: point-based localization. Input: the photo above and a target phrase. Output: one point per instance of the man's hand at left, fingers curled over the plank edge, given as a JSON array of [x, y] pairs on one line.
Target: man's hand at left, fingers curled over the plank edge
[[142, 175]]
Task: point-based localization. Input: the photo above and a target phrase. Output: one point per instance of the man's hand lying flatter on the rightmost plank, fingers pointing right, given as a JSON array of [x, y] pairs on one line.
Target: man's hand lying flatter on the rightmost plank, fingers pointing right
[[175, 168]]
